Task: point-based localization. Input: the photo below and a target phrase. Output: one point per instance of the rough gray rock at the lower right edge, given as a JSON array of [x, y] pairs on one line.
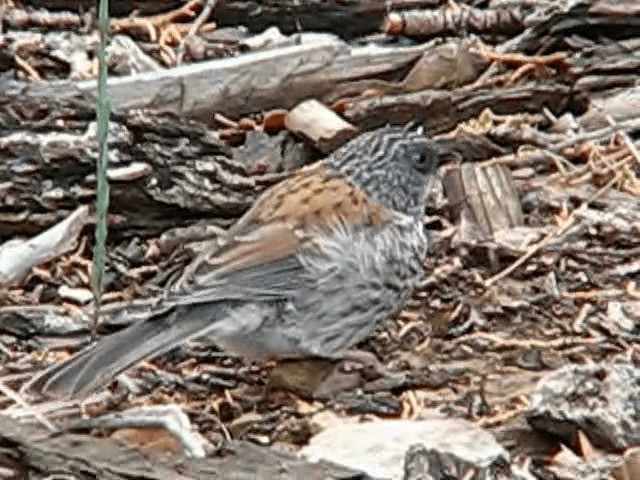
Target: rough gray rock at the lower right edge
[[602, 400]]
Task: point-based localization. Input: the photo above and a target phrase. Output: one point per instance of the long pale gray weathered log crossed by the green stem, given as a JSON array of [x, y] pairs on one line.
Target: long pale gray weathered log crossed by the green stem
[[234, 86]]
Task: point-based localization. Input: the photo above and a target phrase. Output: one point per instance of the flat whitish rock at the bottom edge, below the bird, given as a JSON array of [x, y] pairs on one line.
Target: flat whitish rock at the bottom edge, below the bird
[[431, 449]]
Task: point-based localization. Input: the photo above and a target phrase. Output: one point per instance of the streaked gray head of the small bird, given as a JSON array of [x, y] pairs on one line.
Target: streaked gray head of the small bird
[[392, 165]]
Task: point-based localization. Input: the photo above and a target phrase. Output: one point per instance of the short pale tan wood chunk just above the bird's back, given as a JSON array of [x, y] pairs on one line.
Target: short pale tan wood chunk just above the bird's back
[[319, 124]]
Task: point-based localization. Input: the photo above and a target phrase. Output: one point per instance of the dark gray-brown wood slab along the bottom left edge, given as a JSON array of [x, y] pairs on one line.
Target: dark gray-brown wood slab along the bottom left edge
[[84, 457]]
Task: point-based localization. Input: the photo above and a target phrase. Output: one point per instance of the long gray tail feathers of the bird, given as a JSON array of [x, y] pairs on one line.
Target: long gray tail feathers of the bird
[[99, 364]]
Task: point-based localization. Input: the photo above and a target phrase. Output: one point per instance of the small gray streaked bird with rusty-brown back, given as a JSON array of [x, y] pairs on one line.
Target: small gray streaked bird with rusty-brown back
[[307, 272]]
